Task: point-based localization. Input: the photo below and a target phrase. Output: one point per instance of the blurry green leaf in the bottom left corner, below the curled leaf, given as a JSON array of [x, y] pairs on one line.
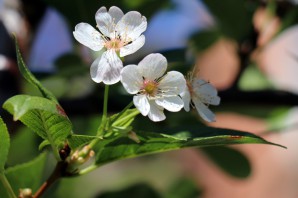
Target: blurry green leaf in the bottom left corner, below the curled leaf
[[27, 175]]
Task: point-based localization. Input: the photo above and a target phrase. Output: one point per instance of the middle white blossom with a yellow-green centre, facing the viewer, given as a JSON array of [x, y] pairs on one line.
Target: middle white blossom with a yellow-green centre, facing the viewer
[[153, 90]]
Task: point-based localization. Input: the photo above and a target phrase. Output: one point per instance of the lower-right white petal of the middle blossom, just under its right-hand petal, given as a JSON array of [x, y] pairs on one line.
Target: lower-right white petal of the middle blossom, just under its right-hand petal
[[173, 104]]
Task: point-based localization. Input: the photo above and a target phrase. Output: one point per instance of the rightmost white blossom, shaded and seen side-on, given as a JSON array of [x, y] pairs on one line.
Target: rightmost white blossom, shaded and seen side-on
[[200, 94]]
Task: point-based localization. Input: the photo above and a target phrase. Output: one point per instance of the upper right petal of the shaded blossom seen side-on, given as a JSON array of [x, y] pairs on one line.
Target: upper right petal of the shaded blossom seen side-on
[[206, 92]]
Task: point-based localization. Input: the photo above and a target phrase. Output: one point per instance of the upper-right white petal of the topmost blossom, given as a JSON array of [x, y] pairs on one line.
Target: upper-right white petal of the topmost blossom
[[132, 25]]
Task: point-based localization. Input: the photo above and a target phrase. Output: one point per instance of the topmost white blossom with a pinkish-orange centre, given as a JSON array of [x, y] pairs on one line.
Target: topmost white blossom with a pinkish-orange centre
[[119, 34]]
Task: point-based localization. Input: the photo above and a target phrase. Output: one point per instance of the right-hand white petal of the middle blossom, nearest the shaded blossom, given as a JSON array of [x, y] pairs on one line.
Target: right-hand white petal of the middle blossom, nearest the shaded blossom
[[173, 83]]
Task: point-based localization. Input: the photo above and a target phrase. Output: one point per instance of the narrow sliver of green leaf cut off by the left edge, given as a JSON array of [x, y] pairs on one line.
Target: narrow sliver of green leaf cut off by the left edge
[[4, 144]]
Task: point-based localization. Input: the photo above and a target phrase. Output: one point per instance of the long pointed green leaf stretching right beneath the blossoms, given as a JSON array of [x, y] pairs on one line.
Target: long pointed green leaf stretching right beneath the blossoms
[[116, 148]]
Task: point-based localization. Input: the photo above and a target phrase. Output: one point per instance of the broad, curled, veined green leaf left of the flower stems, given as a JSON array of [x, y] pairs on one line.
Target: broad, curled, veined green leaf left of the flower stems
[[43, 116]]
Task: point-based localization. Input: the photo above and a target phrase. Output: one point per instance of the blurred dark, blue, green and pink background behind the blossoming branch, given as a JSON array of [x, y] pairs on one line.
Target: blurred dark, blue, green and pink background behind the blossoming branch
[[247, 49]]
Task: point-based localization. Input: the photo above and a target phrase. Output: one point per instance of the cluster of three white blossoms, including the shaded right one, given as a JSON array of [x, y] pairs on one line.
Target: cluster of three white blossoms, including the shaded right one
[[154, 90]]
